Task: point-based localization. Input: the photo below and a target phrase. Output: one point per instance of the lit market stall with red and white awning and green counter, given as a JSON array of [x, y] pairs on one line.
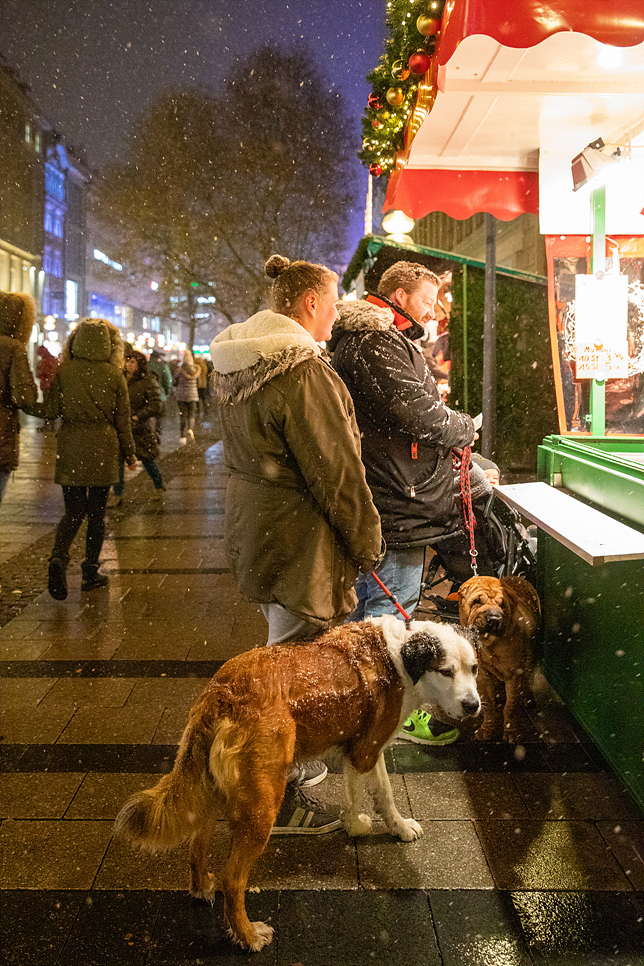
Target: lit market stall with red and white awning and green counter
[[526, 106]]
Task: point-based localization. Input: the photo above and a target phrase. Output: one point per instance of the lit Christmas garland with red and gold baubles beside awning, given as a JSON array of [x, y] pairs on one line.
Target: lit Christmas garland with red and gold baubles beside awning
[[414, 26]]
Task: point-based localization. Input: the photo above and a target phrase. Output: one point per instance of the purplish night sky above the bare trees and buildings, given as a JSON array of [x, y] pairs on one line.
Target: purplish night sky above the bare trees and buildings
[[94, 66]]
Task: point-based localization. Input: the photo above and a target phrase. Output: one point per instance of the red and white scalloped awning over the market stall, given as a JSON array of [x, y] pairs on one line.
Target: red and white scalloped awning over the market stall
[[519, 88]]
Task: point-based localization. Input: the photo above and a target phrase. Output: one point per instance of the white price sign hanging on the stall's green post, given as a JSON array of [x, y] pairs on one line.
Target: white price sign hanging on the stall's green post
[[601, 316]]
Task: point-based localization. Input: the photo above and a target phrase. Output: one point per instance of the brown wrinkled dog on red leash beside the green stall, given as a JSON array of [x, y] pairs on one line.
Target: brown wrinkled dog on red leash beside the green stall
[[506, 613]]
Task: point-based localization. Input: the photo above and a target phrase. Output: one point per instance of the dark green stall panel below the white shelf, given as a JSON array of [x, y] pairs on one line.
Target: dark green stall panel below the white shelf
[[593, 650]]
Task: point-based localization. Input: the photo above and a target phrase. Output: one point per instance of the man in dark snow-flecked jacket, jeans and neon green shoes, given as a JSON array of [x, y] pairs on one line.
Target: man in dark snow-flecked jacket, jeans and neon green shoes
[[407, 439]]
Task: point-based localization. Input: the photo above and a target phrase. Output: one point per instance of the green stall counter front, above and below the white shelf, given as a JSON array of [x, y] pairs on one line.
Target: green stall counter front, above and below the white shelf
[[593, 616]]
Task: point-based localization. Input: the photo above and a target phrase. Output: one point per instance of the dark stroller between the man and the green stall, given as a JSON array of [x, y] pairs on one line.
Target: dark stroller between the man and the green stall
[[505, 548]]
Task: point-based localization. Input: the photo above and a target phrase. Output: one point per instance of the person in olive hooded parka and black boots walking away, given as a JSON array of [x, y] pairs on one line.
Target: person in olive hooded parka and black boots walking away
[[90, 395]]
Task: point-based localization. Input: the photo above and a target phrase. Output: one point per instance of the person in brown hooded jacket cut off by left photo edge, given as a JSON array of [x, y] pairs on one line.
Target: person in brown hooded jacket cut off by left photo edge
[[17, 385]]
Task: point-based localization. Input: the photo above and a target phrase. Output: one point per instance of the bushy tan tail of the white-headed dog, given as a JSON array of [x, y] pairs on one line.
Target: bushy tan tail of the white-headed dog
[[170, 813]]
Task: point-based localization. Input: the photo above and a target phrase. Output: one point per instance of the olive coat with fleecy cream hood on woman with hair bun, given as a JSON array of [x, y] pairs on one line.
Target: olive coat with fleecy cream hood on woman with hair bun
[[300, 521]]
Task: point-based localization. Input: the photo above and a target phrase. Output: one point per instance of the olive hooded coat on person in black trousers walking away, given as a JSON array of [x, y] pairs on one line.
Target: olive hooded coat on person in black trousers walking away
[[90, 394]]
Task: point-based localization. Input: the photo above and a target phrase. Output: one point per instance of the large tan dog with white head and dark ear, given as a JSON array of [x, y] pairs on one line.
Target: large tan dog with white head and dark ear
[[348, 691]]
